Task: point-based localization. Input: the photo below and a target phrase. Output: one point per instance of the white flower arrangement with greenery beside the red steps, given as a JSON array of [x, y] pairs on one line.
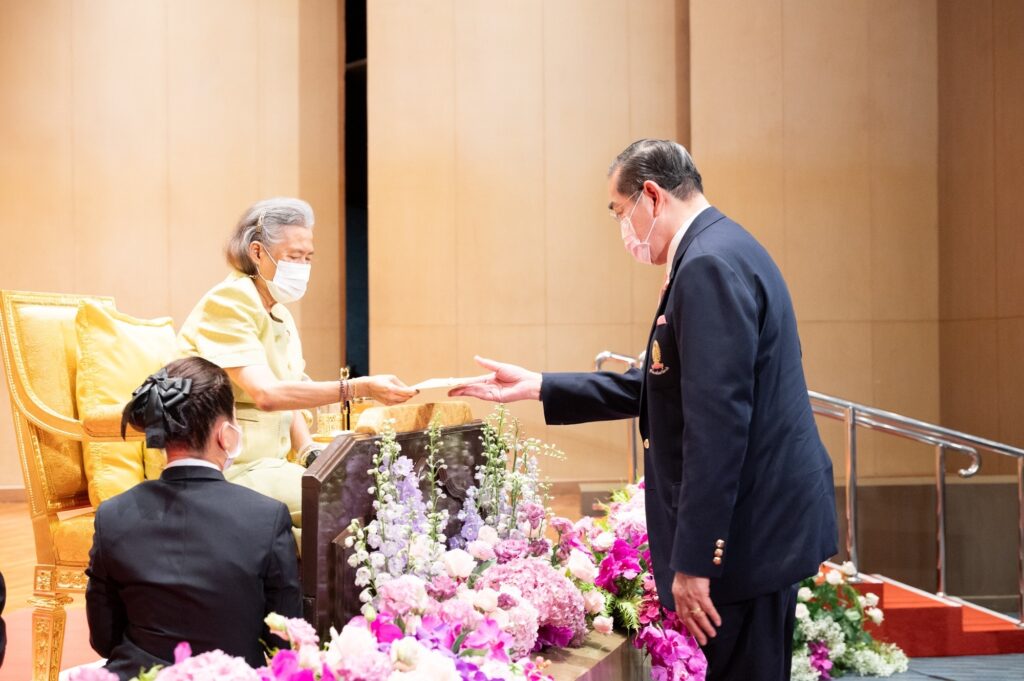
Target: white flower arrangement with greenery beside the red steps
[[831, 640]]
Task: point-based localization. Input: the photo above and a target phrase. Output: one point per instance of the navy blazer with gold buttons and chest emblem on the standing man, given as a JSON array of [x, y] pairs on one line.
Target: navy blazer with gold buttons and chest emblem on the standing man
[[734, 461]]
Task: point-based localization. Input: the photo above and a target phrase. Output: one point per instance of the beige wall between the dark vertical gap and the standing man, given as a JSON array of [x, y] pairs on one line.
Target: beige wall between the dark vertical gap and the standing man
[[492, 125]]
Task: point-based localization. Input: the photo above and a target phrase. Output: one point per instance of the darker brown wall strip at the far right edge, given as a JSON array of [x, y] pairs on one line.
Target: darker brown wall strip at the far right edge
[[982, 220]]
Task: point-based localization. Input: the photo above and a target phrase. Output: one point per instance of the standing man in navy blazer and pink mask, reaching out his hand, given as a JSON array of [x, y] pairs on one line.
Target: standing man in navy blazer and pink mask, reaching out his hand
[[741, 500]]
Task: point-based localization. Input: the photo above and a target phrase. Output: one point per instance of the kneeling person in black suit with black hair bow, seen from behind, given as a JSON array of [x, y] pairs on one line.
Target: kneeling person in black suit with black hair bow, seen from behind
[[189, 558]]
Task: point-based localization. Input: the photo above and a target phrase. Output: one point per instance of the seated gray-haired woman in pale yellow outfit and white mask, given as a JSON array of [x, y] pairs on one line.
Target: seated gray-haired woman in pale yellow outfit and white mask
[[242, 325]]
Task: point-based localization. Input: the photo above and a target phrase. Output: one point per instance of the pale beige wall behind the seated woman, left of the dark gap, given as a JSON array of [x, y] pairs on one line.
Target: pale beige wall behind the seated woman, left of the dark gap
[[135, 134]]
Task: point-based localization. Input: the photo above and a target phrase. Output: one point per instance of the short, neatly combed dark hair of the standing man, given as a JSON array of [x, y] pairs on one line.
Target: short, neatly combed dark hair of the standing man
[[662, 161]]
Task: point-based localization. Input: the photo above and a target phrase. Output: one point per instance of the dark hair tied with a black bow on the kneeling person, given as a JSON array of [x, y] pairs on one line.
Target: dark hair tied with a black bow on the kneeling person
[[181, 404]]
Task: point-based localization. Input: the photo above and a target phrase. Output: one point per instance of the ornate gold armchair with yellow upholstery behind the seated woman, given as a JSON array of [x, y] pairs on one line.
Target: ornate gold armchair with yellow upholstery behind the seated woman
[[38, 339]]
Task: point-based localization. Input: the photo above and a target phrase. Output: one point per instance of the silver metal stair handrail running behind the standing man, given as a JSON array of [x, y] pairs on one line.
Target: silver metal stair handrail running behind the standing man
[[944, 440]]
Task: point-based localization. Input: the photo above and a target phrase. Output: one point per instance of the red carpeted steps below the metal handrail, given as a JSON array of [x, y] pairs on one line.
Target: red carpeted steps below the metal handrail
[[929, 626]]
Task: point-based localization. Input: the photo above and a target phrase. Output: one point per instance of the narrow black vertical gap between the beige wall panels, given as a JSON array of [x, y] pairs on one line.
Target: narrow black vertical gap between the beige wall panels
[[357, 289]]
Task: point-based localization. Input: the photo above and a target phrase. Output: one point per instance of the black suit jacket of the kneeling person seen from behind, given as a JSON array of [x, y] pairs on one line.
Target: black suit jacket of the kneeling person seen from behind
[[189, 558]]
